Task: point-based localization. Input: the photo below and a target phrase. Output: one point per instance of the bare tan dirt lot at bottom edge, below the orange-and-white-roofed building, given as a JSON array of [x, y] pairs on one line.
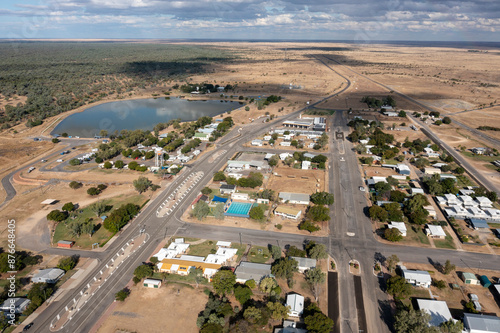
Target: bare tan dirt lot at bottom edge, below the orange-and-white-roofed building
[[175, 309]]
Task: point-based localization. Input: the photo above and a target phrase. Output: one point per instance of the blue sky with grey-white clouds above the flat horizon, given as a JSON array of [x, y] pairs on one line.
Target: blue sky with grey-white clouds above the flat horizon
[[352, 20]]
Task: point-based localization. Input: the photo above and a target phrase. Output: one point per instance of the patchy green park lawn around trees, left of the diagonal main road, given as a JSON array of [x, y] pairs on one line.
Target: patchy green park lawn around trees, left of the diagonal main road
[[100, 236]]
